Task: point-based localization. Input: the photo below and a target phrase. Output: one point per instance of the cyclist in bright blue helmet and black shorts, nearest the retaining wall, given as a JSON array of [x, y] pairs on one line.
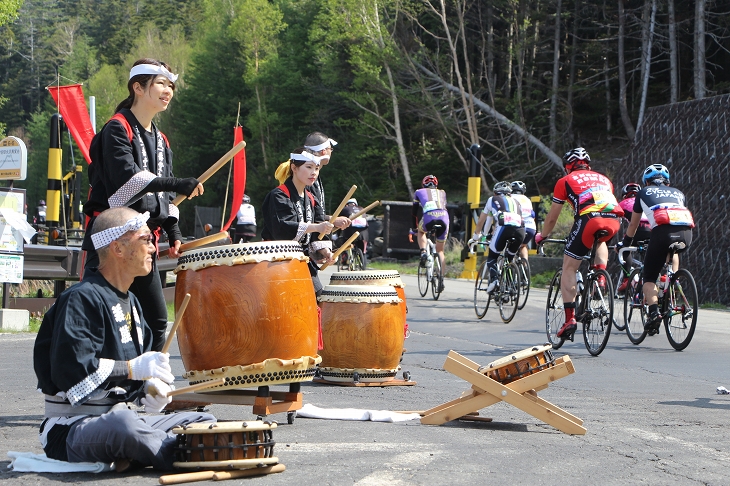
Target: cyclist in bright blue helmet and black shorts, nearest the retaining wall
[[671, 222]]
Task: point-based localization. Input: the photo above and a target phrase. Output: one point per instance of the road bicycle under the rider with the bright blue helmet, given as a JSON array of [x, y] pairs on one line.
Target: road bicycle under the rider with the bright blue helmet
[[678, 302]]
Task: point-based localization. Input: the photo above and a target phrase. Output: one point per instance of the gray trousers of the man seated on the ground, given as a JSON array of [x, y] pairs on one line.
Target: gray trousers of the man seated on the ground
[[124, 434]]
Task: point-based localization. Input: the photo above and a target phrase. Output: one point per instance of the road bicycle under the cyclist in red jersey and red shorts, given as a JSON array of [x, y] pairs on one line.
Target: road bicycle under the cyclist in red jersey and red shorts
[[593, 304]]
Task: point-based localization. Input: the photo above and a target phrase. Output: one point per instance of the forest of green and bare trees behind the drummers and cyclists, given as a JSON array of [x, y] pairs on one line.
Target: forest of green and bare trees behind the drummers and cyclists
[[404, 86]]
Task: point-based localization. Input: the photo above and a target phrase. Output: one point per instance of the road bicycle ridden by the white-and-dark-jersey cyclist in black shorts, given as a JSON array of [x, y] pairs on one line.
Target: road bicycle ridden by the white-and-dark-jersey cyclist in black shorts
[[507, 292]]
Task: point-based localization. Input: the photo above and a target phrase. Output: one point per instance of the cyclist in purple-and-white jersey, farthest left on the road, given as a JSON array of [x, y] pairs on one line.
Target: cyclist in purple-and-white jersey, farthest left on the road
[[429, 211]]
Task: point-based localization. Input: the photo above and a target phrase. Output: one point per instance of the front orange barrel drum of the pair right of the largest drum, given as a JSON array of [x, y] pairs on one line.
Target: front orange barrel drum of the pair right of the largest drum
[[362, 331]]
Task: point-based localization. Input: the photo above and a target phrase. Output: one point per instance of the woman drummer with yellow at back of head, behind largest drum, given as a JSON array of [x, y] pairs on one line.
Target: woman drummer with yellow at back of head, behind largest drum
[[291, 212]]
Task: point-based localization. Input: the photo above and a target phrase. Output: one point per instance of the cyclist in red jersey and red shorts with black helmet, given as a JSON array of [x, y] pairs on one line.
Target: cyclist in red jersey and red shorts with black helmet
[[595, 208]]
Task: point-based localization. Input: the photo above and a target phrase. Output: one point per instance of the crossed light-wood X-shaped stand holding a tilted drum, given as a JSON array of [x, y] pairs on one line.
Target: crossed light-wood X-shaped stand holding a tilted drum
[[521, 393]]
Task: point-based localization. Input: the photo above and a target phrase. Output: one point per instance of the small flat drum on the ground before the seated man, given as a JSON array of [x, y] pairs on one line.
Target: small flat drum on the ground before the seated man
[[230, 445]]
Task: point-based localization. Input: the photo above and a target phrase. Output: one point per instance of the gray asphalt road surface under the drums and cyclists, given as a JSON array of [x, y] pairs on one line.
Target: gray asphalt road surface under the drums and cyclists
[[652, 414]]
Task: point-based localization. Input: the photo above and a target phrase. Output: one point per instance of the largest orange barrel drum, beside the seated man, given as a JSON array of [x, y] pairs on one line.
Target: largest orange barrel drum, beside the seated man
[[252, 316]]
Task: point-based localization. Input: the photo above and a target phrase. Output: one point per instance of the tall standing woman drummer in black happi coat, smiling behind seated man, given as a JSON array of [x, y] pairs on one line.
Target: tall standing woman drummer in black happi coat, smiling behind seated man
[[132, 166]]
